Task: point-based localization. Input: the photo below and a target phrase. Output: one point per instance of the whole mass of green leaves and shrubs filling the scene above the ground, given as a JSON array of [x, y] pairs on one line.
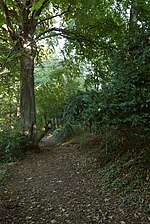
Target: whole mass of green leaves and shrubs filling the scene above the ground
[[97, 33]]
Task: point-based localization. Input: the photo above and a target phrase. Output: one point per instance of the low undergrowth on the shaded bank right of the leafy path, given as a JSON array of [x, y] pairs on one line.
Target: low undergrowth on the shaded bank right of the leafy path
[[124, 167]]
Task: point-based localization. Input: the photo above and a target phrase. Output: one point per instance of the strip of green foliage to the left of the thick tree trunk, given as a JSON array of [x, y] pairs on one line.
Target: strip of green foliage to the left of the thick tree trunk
[[10, 142]]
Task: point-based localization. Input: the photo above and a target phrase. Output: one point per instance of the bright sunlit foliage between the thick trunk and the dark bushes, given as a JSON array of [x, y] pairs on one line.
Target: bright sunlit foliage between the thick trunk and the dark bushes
[[54, 82]]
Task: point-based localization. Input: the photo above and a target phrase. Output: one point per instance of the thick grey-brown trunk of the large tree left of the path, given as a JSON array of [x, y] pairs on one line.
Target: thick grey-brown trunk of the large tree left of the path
[[27, 97]]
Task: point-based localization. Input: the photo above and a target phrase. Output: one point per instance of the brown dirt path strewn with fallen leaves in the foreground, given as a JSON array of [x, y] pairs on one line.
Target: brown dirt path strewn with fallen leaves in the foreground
[[62, 185]]
